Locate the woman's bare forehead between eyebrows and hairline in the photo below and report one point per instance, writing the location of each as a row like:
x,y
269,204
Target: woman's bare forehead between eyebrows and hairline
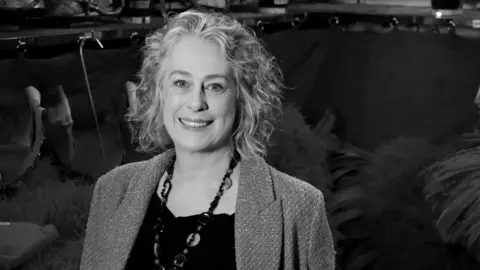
x,y
198,56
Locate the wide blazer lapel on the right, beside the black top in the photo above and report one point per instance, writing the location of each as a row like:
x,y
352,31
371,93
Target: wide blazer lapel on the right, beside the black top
x,y
258,218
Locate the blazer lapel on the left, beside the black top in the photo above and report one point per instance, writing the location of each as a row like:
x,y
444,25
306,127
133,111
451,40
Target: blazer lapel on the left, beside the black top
x,y
127,219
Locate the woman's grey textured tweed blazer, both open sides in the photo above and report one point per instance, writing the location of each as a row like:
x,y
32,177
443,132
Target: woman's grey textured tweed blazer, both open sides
x,y
280,221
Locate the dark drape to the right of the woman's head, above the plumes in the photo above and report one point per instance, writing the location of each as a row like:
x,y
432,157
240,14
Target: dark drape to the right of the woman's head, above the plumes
x,y
383,85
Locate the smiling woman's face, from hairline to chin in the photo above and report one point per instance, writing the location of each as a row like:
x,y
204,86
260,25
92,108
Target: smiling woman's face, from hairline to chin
x,y
199,98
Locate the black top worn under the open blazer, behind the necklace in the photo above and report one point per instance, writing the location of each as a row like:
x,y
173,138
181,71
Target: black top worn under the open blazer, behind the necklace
x,y
216,249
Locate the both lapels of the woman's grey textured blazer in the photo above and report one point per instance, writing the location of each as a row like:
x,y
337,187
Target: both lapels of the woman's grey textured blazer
x,y
258,214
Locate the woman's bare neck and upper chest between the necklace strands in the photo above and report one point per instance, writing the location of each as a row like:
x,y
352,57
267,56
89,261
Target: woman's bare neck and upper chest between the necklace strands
x,y
202,167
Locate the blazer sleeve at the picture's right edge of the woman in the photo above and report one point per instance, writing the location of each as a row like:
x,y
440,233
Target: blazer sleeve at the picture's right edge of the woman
x,y
321,253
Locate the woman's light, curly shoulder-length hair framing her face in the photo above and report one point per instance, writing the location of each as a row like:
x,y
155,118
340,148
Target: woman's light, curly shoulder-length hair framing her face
x,y
257,75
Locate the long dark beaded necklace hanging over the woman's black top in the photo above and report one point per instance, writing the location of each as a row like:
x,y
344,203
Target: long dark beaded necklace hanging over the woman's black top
x,y
194,238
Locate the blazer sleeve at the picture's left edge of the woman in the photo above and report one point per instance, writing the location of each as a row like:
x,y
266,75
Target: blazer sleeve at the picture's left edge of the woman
x,y
93,232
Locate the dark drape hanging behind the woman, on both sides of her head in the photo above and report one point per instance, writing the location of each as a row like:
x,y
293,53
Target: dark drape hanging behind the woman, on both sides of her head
x,y
382,85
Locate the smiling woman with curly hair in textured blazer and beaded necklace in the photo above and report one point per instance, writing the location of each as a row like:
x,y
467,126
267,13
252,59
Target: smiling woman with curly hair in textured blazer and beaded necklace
x,y
209,93
